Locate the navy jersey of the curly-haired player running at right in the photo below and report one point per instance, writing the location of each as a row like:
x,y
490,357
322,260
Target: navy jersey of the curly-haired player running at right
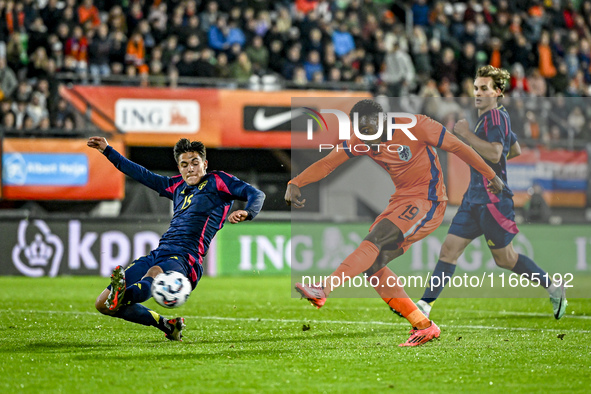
x,y
492,126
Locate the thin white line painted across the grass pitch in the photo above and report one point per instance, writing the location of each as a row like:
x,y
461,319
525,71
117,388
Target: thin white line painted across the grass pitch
x,y
375,323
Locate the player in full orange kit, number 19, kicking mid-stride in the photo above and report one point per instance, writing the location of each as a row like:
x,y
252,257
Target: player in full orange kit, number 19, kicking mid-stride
x,y
414,211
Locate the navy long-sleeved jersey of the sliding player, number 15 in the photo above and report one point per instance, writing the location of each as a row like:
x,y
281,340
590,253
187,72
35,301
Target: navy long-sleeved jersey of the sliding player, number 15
x,y
199,211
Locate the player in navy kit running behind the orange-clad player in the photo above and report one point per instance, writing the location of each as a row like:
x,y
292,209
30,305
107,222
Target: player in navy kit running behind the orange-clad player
x,y
485,213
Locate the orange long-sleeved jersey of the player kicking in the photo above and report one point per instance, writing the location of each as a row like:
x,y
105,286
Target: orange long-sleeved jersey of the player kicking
x,y
413,165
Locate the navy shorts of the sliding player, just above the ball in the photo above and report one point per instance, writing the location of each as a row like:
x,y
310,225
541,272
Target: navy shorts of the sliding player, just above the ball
x,y
168,261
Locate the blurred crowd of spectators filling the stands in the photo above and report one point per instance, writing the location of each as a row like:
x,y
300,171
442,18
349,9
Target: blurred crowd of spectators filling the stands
x,y
369,44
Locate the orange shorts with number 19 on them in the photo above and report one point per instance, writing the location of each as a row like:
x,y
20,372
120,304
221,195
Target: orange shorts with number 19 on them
x,y
415,217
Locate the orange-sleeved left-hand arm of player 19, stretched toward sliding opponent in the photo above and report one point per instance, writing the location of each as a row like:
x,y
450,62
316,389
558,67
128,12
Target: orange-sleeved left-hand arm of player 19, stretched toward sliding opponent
x,y
313,173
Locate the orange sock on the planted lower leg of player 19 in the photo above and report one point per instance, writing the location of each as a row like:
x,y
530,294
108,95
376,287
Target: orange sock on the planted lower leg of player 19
x,y
396,298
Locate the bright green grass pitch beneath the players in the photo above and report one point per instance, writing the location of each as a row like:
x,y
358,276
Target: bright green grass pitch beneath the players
x,y
249,335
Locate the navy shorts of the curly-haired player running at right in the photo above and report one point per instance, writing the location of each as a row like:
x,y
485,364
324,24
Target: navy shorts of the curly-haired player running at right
x,y
495,220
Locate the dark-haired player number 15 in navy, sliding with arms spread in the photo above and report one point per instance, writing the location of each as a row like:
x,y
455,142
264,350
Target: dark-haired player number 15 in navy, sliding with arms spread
x,y
201,205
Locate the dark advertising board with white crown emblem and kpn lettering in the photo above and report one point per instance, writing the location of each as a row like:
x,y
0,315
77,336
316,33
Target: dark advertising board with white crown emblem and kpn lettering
x,y
74,247
